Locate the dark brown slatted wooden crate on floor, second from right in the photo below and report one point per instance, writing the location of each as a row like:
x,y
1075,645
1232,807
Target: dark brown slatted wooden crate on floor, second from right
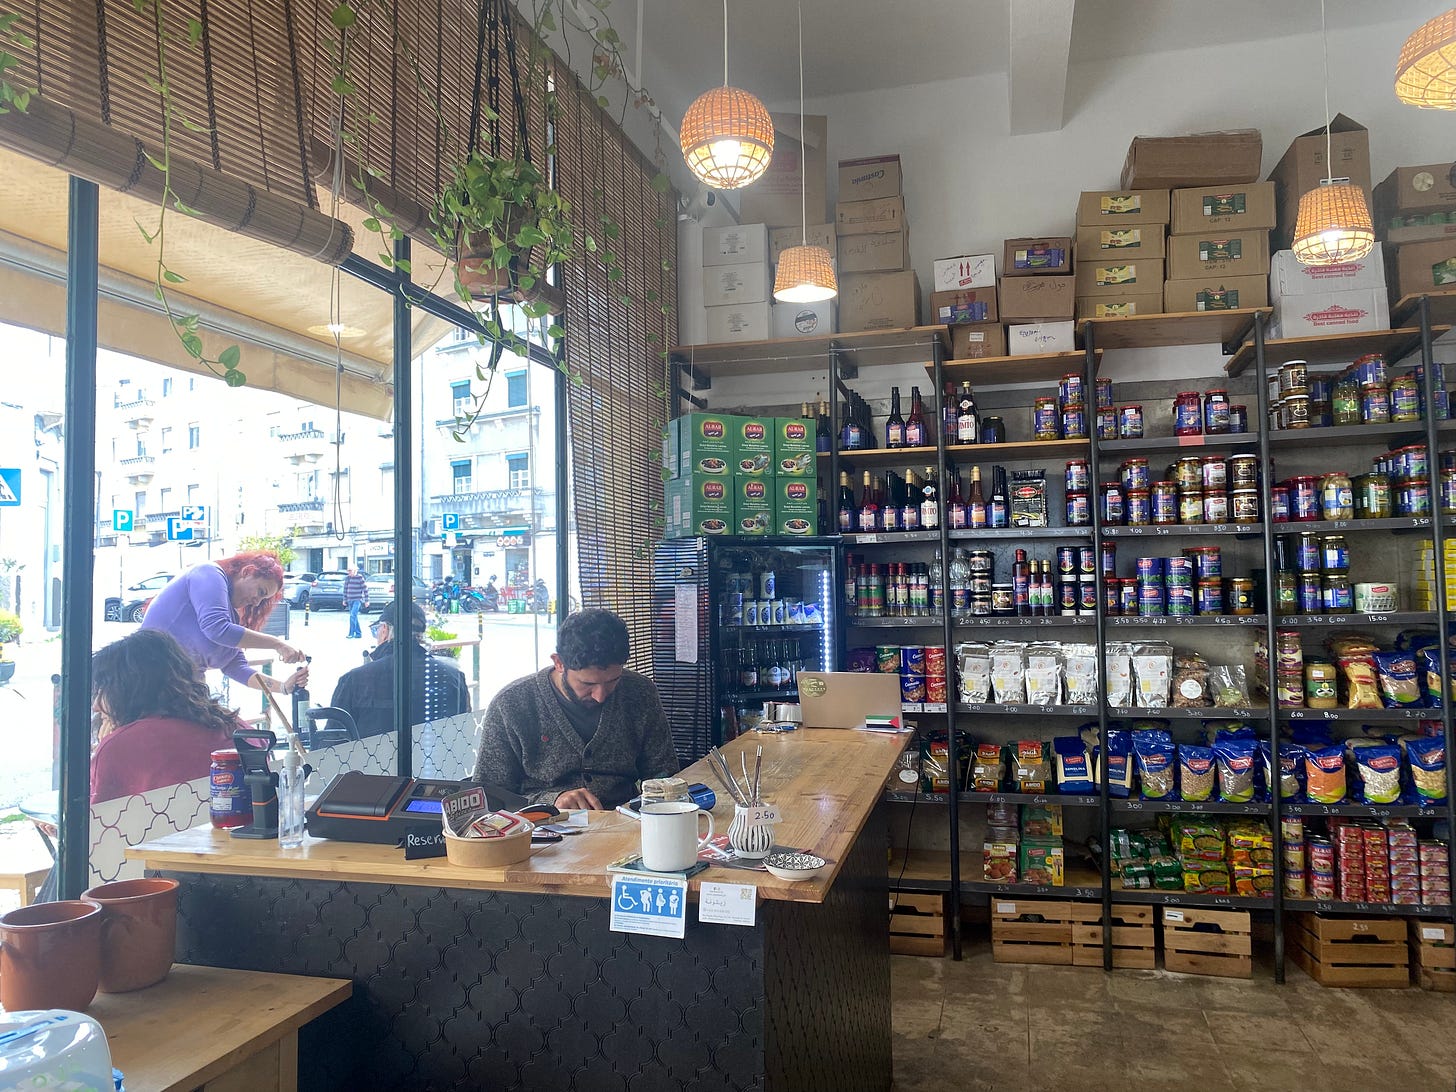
x,y
1365,953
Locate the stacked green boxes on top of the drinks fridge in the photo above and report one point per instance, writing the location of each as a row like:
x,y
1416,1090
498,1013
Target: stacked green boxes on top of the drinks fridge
x,y
740,475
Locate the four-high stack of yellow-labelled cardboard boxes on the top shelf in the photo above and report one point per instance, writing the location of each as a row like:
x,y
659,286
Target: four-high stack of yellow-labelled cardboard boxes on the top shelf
x,y
1120,253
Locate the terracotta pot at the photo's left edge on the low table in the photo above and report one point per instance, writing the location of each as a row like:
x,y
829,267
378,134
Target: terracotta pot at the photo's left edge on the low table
x,y
50,956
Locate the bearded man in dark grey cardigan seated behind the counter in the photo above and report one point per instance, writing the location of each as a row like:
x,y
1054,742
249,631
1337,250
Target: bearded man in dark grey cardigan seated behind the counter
x,y
583,732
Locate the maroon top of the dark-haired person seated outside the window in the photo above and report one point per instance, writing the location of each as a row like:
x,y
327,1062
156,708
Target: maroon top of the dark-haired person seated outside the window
x,y
152,753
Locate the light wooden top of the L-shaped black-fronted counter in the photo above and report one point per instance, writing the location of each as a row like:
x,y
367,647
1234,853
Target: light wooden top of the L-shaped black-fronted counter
x,y
823,781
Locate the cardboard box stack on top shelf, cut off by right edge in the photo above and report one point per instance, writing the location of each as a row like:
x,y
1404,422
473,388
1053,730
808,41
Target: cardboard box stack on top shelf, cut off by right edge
x,y
1415,210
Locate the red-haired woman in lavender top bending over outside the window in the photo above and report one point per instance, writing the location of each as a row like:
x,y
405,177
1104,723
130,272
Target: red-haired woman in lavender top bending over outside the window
x,y
218,609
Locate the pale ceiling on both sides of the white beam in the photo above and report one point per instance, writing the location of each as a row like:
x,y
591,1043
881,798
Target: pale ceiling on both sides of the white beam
x,y
857,46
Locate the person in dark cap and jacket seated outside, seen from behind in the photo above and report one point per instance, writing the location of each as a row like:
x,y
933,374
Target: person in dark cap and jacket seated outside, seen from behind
x,y
368,694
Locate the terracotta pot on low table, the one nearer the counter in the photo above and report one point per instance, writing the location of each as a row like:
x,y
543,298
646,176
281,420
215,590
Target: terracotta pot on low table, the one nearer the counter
x,y
139,933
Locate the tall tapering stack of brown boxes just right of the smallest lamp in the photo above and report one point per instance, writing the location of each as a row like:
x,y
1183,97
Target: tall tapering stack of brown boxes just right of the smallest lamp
x,y
877,288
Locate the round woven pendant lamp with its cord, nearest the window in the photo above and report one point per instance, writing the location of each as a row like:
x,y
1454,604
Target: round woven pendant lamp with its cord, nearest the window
x,y
727,135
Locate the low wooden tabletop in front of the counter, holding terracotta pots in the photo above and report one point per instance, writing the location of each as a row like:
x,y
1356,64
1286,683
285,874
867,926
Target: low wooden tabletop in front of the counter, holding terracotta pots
x,y
200,1023
